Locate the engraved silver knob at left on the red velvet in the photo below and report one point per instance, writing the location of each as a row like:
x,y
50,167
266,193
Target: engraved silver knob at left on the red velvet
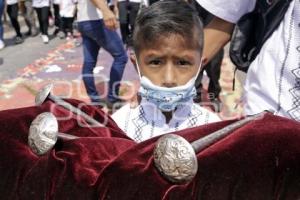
x,y
43,133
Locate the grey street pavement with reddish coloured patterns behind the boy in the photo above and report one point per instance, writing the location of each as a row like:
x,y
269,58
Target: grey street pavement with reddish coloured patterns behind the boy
x,y
29,66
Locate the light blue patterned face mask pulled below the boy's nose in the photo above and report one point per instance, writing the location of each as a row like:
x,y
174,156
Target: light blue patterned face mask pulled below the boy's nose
x,y
167,99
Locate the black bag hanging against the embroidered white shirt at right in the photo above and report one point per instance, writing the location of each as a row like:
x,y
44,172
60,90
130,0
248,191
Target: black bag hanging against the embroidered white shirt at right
x,y
253,29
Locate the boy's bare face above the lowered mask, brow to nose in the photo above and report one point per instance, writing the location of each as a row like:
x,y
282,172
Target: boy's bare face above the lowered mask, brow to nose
x,y
169,62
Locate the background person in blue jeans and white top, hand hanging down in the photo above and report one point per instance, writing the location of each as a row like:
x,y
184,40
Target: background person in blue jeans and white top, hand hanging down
x,y
97,25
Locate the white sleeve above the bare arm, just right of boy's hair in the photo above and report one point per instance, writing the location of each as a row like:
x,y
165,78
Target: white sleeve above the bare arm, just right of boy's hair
x,y
228,10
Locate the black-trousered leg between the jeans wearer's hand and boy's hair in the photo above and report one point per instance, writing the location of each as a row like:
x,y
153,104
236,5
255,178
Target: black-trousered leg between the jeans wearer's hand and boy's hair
x,y
123,17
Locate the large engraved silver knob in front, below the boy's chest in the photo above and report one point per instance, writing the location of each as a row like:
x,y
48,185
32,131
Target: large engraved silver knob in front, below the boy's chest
x,y
175,158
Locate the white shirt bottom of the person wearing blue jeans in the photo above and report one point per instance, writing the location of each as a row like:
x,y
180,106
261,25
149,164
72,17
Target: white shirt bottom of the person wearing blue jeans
x,y
87,11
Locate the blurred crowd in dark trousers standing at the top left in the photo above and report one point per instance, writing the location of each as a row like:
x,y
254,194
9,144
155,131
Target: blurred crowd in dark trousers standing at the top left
x,y
60,12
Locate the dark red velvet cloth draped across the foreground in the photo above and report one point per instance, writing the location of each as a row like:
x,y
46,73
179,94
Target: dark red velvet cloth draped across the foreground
x,y
258,161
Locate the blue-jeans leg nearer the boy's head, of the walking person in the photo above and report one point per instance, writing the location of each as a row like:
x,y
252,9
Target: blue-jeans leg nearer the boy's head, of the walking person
x,y
112,43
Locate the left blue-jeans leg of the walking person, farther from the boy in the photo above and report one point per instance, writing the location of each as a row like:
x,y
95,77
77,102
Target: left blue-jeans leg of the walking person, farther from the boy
x,y
90,55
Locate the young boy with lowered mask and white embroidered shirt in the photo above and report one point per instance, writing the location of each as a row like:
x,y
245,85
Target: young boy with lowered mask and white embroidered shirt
x,y
168,43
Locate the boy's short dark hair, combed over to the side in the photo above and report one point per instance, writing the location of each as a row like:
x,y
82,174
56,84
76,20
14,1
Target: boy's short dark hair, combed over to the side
x,y
165,18
